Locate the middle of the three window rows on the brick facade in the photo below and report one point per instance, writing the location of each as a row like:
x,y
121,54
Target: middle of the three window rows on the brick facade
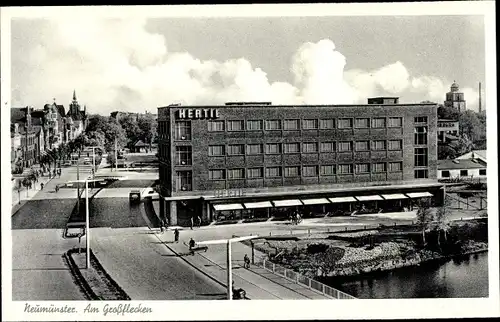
x,y
307,147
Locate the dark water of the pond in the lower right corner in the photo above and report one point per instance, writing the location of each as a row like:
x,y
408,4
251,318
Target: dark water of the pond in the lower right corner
x,y
456,278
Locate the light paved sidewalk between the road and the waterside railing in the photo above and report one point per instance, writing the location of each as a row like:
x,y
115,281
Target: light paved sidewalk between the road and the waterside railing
x,y
258,283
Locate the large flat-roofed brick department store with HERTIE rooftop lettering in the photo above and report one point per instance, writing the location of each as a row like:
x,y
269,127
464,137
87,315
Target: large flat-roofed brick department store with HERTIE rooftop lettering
x,y
257,159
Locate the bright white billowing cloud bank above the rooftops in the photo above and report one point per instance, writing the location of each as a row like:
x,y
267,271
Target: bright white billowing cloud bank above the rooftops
x,y
116,64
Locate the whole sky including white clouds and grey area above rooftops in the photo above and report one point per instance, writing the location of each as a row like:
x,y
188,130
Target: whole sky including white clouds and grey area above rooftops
x,y
137,64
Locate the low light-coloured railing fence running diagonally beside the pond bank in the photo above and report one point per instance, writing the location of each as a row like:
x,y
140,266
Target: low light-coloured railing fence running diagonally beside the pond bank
x,y
300,279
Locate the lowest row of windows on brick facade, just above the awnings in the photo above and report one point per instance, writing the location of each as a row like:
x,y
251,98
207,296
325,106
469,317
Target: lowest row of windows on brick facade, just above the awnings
x,y
305,171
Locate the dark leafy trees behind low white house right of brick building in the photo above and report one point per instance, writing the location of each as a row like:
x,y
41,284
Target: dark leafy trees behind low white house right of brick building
x,y
472,133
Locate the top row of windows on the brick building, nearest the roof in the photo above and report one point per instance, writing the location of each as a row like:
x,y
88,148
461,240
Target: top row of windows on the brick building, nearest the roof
x,y
307,124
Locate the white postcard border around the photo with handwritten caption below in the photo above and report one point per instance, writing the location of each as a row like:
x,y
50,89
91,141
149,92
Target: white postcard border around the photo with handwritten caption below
x,y
270,310
